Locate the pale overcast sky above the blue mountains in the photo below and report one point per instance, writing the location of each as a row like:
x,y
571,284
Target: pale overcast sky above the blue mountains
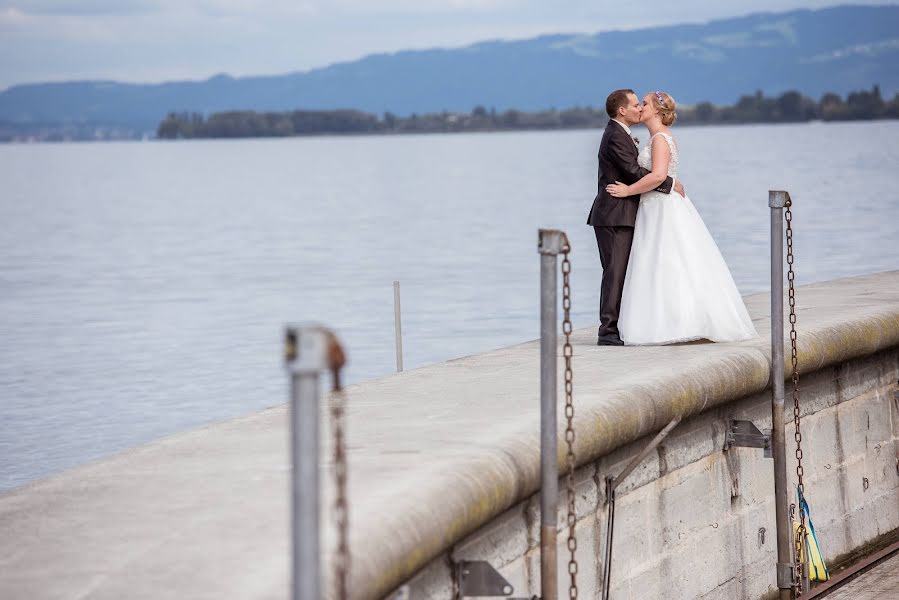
x,y
157,40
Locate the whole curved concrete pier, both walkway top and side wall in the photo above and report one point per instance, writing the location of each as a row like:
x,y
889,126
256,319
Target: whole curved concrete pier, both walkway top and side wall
x,y
444,465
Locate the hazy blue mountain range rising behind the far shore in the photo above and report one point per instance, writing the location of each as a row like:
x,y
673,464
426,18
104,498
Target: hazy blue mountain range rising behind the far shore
x,y
839,49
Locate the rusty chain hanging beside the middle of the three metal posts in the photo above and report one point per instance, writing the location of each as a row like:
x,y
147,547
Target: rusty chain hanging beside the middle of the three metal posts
x,y
567,352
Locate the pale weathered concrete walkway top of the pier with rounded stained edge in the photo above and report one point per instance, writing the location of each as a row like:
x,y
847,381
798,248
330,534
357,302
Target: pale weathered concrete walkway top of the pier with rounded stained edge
x,y
435,454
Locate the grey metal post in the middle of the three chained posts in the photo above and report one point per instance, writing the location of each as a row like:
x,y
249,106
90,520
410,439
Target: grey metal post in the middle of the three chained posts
x,y
549,246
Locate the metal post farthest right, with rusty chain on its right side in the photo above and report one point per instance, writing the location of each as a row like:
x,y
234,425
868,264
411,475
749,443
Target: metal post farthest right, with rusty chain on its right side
x,y
777,201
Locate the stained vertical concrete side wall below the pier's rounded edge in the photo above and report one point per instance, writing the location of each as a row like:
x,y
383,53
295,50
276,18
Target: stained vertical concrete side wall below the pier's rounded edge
x,y
694,521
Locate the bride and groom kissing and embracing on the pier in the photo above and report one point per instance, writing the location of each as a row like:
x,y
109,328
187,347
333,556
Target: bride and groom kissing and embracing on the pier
x,y
663,278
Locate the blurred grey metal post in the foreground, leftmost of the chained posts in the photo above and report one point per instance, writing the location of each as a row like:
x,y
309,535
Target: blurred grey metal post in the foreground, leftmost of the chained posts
x,y
306,358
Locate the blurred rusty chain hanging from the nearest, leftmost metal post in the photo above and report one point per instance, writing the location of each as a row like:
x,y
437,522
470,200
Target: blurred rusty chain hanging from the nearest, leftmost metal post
x,y
341,506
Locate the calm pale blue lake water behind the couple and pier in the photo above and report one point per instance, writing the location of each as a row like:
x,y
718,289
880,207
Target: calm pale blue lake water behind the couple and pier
x,y
143,286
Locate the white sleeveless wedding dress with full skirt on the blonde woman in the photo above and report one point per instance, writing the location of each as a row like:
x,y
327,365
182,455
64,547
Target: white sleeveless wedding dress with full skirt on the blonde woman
x,y
678,287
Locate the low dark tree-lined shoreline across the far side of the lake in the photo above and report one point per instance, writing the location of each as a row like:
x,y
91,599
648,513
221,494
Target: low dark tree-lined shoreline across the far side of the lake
x,y
756,109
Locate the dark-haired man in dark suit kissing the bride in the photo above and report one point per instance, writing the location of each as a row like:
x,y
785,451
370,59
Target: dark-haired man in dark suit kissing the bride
x,y
613,219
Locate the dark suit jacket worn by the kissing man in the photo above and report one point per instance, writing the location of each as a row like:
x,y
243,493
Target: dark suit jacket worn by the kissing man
x,y
618,162
